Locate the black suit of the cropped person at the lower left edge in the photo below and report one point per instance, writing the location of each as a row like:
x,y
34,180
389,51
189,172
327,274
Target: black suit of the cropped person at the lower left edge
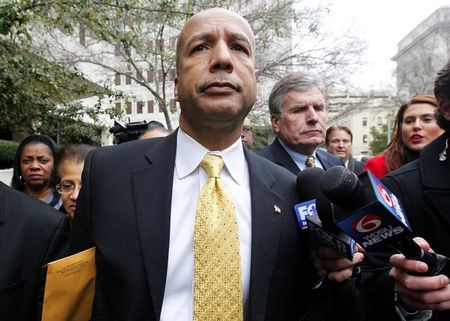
x,y
31,235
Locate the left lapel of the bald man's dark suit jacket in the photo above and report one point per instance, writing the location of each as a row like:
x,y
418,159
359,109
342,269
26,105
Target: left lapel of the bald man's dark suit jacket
x,y
152,188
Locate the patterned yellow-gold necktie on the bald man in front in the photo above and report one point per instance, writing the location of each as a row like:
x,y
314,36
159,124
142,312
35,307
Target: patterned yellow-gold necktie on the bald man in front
x,y
217,262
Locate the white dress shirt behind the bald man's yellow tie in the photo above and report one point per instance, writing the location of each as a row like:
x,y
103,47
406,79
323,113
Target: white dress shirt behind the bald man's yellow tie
x,y
188,180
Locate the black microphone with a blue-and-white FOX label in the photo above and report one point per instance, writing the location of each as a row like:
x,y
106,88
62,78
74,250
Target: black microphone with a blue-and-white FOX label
x,y
308,188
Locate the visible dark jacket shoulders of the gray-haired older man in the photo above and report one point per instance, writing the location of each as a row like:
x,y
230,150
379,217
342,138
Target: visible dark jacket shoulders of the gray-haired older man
x,y
277,154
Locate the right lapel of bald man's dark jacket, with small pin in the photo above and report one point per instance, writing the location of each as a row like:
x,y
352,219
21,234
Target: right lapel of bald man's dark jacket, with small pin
x,y
266,228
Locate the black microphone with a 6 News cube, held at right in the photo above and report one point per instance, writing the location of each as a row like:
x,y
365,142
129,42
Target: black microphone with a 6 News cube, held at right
x,y
369,213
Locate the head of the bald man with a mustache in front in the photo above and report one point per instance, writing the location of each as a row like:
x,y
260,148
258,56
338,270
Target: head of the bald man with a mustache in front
x,y
216,81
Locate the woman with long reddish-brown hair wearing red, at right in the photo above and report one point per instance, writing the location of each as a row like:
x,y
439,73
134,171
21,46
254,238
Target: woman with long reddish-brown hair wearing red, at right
x,y
415,126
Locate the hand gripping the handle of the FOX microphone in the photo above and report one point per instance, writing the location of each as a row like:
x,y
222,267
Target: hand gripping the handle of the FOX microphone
x,y
331,264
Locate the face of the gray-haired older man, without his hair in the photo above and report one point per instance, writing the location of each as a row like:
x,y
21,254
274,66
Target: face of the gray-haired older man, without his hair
x,y
301,124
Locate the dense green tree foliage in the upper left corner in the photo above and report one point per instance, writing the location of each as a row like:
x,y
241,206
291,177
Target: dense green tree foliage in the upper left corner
x,y
34,91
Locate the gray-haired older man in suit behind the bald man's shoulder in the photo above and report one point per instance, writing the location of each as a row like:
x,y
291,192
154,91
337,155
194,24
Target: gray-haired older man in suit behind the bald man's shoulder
x,y
298,112
